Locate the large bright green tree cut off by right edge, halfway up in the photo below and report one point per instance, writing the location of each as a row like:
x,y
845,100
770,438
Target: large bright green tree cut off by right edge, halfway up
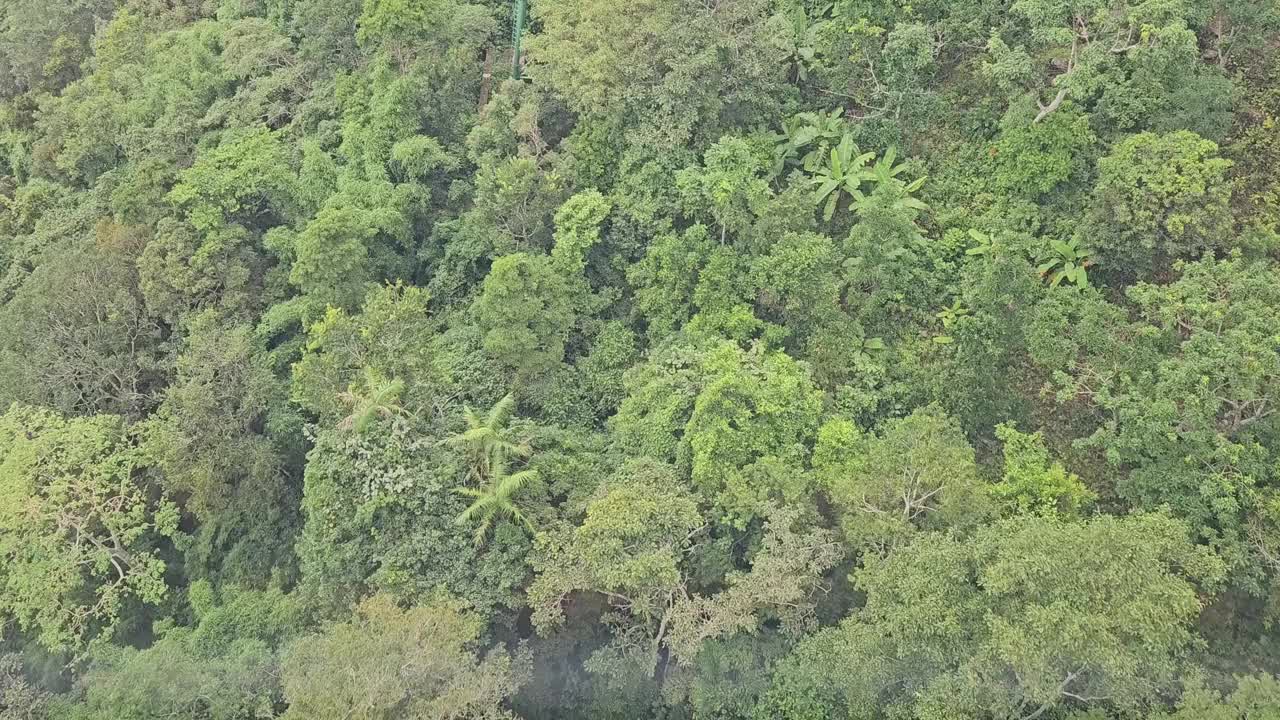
x,y
1182,390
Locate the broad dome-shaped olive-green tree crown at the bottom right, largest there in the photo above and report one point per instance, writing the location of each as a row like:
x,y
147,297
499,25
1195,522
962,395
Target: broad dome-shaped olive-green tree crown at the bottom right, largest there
x,y
1002,627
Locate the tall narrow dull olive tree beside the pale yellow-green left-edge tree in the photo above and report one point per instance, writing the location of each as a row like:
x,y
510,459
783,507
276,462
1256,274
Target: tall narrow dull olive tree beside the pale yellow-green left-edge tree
x,y
222,439
